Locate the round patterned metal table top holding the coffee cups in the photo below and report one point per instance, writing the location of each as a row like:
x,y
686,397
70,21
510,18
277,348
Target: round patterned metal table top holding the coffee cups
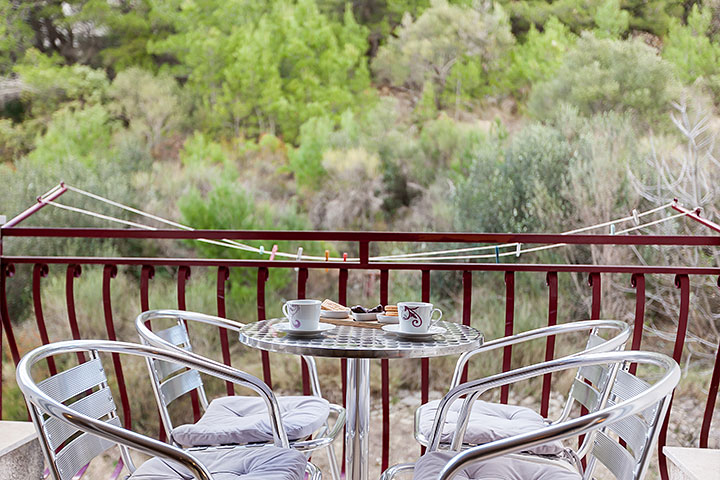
x,y
357,342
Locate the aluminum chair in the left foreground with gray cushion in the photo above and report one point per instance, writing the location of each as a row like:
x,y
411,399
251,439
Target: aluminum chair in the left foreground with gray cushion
x,y
76,420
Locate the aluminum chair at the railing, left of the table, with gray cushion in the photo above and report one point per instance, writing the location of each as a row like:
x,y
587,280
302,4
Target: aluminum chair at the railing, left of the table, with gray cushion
x,y
214,427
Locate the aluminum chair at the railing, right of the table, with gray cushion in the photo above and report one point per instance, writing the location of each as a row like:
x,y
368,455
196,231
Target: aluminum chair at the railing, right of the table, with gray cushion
x,y
491,421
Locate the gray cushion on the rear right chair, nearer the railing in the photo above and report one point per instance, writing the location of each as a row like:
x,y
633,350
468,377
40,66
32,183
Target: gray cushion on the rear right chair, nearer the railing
x,y
488,422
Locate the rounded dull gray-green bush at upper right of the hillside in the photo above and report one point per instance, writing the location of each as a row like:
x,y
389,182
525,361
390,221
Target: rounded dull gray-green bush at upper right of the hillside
x,y
602,75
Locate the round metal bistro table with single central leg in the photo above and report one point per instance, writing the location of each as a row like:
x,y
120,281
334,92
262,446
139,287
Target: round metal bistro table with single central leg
x,y
359,345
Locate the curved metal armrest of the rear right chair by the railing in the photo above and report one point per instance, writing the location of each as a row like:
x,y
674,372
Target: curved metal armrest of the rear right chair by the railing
x,y
614,343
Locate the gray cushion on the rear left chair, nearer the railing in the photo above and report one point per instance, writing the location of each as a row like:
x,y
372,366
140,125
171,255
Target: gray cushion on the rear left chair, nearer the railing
x,y
239,420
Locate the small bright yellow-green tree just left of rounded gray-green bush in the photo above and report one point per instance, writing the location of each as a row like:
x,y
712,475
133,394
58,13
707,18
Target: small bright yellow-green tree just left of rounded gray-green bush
x,y
536,59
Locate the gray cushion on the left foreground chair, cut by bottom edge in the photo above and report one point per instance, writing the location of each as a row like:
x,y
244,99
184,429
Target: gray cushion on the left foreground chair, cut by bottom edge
x,y
267,463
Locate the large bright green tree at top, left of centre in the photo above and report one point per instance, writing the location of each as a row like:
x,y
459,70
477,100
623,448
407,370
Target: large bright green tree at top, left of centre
x,y
272,70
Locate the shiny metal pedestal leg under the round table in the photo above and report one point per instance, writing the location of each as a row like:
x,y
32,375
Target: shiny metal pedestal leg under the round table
x,y
357,444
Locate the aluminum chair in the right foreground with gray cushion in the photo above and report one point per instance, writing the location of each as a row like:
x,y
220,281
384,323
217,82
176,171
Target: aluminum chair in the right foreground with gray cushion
x,y
625,430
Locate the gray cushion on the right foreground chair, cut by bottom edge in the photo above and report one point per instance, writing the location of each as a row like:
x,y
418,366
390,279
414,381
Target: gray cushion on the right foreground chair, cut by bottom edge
x,y
503,468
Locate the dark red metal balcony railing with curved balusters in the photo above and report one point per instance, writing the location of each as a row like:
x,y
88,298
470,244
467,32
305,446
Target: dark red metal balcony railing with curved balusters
x,y
224,267
